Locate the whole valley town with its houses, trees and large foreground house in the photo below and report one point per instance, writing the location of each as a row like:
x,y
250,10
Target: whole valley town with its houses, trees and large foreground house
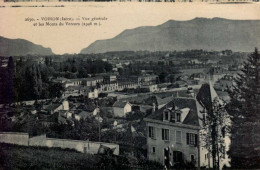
x,y
148,105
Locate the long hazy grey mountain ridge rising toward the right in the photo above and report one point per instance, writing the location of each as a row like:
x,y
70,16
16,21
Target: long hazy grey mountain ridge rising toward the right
x,y
199,33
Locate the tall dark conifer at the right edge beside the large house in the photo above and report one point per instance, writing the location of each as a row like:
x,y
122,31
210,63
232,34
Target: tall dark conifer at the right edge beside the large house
x,y
245,116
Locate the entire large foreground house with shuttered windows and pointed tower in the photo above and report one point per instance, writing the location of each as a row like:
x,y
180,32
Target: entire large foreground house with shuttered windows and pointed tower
x,y
173,131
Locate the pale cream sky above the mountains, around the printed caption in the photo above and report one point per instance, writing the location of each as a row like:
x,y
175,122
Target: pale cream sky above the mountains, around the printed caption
x,y
120,16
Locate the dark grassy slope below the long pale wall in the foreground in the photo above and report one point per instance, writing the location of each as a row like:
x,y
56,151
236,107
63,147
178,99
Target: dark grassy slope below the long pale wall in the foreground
x,y
23,157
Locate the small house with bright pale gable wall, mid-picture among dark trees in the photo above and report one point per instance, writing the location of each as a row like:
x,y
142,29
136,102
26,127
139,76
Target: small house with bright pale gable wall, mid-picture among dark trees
x,y
121,108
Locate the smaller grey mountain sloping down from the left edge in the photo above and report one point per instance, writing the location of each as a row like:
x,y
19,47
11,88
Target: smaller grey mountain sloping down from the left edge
x,y
20,47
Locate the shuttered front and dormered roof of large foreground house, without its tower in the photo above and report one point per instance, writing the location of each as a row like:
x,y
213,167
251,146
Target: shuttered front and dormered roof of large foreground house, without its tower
x,y
172,133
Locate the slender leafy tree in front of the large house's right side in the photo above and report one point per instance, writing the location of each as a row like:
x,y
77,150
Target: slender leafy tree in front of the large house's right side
x,y
215,125
